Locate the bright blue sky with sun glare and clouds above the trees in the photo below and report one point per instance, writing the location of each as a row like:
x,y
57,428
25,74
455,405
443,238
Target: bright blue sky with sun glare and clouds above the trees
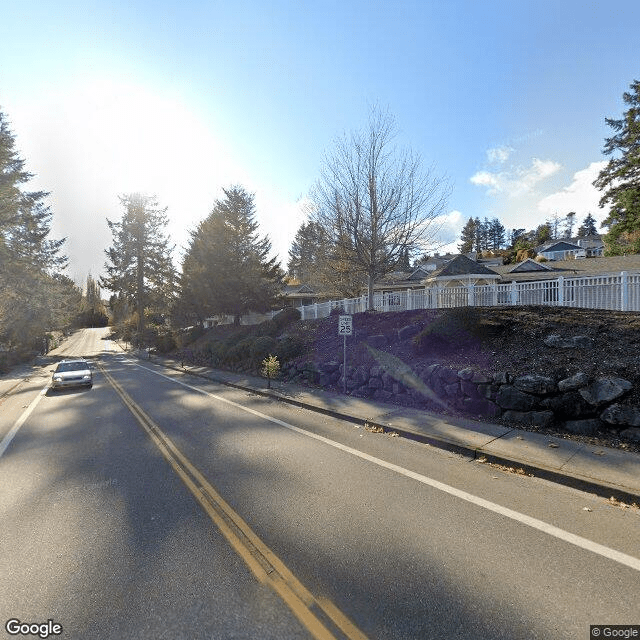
x,y
181,99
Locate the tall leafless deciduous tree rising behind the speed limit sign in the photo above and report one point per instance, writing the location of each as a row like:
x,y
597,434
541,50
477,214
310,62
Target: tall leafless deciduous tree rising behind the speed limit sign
x,y
375,201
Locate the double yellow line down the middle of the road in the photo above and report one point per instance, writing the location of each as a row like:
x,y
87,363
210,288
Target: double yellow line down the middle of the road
x,y
264,564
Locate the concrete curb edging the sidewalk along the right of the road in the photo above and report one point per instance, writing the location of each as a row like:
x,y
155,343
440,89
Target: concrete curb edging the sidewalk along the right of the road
x,y
590,485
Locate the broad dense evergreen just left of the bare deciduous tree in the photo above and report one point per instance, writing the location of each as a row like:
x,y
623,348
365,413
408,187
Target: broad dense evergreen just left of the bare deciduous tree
x,y
227,269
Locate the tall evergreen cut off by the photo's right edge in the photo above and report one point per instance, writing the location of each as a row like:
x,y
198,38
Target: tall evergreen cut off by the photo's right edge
x,y
620,178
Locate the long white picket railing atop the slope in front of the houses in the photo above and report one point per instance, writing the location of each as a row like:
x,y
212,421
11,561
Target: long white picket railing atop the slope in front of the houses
x,y
615,292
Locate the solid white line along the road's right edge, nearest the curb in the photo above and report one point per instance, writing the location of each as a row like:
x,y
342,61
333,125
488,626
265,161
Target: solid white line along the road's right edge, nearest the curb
x,y
534,523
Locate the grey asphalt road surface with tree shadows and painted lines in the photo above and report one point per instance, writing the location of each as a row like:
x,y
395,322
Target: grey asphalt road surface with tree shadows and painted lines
x,y
159,505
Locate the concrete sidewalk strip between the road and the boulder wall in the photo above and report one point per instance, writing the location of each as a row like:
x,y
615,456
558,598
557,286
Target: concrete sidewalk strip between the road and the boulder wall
x,y
602,470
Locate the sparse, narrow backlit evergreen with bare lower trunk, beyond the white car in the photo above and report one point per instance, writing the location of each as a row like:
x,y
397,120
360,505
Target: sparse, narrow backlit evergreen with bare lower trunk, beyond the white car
x,y
139,269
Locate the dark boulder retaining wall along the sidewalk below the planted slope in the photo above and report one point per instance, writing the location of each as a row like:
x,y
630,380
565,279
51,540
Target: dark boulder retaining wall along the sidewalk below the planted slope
x,y
577,403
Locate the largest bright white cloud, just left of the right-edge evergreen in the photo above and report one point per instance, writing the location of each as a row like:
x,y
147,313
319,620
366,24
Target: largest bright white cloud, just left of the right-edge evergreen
x,y
580,196
